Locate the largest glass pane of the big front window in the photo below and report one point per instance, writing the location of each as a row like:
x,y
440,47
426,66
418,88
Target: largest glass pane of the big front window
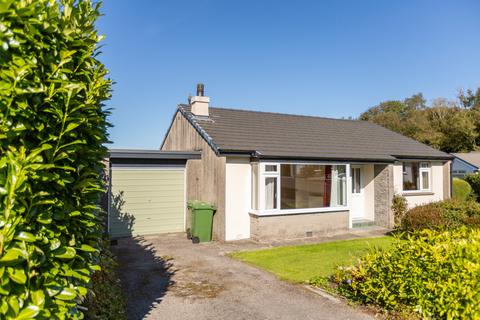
x,y
312,186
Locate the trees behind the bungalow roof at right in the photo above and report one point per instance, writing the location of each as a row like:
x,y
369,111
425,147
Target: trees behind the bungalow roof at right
x,y
450,126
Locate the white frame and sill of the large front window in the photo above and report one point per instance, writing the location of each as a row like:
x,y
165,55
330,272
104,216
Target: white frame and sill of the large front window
x,y
262,174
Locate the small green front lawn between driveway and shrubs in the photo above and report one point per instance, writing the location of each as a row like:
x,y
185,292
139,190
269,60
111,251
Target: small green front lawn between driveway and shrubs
x,y
302,263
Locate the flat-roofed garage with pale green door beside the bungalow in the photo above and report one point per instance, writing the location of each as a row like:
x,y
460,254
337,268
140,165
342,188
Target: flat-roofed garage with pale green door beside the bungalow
x,y
147,192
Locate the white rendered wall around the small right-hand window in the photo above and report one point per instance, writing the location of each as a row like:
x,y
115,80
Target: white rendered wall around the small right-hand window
x,y
423,197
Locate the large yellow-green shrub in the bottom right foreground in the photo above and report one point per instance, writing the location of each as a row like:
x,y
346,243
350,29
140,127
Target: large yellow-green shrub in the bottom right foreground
x,y
434,274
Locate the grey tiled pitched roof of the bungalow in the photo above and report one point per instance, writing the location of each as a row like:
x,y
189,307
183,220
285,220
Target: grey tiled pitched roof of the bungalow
x,y
275,135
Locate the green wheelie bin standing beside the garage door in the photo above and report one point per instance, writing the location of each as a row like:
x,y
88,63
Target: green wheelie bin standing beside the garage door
x,y
201,218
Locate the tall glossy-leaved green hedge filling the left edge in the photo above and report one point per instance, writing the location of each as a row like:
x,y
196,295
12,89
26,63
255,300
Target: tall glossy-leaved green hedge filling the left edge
x,y
52,127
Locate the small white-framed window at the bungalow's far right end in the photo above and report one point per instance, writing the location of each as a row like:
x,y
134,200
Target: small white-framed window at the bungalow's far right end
x,y
416,176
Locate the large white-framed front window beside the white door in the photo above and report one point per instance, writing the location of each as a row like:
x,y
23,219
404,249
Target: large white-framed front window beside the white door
x,y
299,186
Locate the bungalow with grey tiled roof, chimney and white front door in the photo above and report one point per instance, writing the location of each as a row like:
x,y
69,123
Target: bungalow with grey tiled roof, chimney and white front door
x,y
279,176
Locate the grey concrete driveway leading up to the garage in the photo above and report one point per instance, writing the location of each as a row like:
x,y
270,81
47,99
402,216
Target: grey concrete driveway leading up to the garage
x,y
167,277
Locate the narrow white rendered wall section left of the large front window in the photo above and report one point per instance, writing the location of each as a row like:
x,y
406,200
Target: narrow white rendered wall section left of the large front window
x,y
238,192
